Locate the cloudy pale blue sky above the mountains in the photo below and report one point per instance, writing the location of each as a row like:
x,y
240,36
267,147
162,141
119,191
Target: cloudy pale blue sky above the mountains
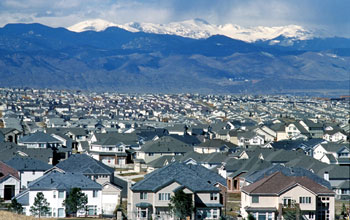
x,y
332,16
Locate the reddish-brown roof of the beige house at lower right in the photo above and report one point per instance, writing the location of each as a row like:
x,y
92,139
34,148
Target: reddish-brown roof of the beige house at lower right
x,y
278,183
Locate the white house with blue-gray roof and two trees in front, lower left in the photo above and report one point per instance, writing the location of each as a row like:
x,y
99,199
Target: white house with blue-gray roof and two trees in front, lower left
x,y
55,186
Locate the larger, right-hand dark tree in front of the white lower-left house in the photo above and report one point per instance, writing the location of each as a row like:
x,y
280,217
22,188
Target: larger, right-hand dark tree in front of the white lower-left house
x,y
75,201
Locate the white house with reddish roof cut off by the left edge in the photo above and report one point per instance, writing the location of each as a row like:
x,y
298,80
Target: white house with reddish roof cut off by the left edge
x,y
9,181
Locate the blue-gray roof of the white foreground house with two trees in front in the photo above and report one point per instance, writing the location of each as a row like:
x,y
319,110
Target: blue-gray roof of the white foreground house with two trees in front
x,y
63,181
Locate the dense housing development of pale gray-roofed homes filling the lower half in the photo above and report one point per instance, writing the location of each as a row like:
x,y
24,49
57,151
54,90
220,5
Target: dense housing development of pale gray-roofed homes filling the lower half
x,y
232,156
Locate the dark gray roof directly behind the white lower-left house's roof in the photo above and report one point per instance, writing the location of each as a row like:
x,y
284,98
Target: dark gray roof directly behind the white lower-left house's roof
x,y
82,163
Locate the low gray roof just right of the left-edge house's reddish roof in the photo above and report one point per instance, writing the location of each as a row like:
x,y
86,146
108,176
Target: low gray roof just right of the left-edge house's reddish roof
x,y
27,164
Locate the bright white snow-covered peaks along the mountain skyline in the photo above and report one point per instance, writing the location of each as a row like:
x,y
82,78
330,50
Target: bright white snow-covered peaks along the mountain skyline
x,y
199,28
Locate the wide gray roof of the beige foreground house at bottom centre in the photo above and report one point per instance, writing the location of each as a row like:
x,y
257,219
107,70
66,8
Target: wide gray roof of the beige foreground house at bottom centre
x,y
194,177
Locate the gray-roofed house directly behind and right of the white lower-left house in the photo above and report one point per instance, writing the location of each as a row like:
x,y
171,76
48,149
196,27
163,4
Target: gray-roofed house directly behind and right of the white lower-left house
x,y
98,172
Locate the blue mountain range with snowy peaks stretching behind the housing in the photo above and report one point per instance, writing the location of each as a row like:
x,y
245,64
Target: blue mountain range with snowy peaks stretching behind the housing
x,y
108,57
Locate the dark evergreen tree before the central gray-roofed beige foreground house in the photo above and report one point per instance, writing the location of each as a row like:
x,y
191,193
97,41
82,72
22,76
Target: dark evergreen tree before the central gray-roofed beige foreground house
x,y
181,204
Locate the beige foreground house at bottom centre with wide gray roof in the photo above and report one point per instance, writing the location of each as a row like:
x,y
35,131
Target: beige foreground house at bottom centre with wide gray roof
x,y
151,196
